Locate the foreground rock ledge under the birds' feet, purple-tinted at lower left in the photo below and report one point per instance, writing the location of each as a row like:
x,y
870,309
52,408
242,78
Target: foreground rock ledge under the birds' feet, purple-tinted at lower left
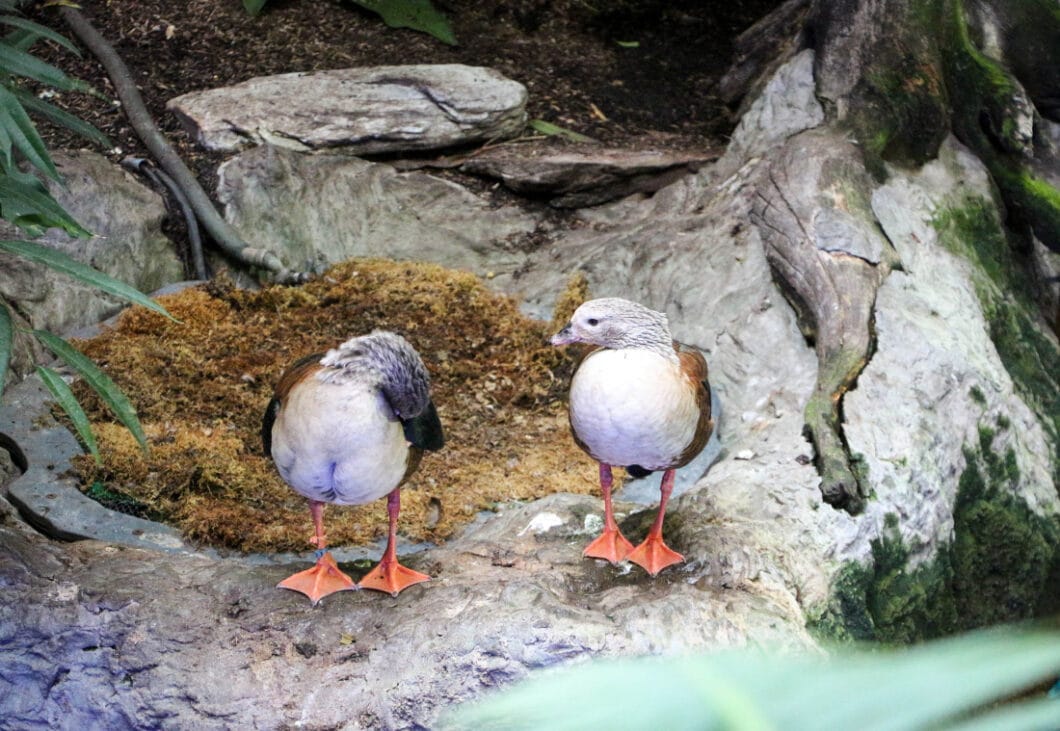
x,y
128,627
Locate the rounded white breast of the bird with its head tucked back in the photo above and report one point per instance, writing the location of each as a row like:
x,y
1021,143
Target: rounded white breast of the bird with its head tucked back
x,y
339,443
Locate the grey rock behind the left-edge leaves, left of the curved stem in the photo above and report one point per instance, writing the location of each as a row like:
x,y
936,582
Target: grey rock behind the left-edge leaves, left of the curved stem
x,y
129,245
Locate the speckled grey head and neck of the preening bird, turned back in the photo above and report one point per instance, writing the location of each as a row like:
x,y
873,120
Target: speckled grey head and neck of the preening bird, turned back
x,y
386,360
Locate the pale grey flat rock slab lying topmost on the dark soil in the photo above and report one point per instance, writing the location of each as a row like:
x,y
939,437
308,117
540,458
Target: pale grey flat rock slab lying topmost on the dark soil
x,y
368,111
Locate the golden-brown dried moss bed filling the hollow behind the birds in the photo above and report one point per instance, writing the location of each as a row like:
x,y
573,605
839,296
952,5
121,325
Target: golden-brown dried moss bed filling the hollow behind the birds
x,y
202,385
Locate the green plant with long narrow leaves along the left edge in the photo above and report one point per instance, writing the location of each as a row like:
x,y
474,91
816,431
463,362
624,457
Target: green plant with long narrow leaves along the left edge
x,y
26,203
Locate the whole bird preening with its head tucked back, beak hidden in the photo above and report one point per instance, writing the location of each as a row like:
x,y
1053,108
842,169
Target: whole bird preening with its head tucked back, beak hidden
x,y
347,429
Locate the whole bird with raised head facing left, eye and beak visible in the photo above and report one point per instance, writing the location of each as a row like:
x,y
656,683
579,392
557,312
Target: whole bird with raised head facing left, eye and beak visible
x,y
639,400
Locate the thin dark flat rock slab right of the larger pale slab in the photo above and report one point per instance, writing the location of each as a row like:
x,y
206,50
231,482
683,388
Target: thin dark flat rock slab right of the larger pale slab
x,y
578,180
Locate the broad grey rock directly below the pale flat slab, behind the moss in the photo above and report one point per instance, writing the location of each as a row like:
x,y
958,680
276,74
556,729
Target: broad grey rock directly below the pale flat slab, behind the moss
x,y
315,210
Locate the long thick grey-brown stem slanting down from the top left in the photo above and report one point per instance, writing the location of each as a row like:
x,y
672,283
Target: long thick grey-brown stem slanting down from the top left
x,y
138,116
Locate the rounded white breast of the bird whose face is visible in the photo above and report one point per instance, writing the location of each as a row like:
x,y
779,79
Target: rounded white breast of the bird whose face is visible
x,y
633,407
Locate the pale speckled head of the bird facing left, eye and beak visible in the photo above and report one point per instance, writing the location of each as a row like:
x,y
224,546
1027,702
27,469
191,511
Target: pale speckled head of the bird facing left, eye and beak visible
x,y
614,323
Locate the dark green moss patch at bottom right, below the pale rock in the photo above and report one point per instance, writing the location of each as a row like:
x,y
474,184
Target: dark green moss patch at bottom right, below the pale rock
x,y
1000,567
